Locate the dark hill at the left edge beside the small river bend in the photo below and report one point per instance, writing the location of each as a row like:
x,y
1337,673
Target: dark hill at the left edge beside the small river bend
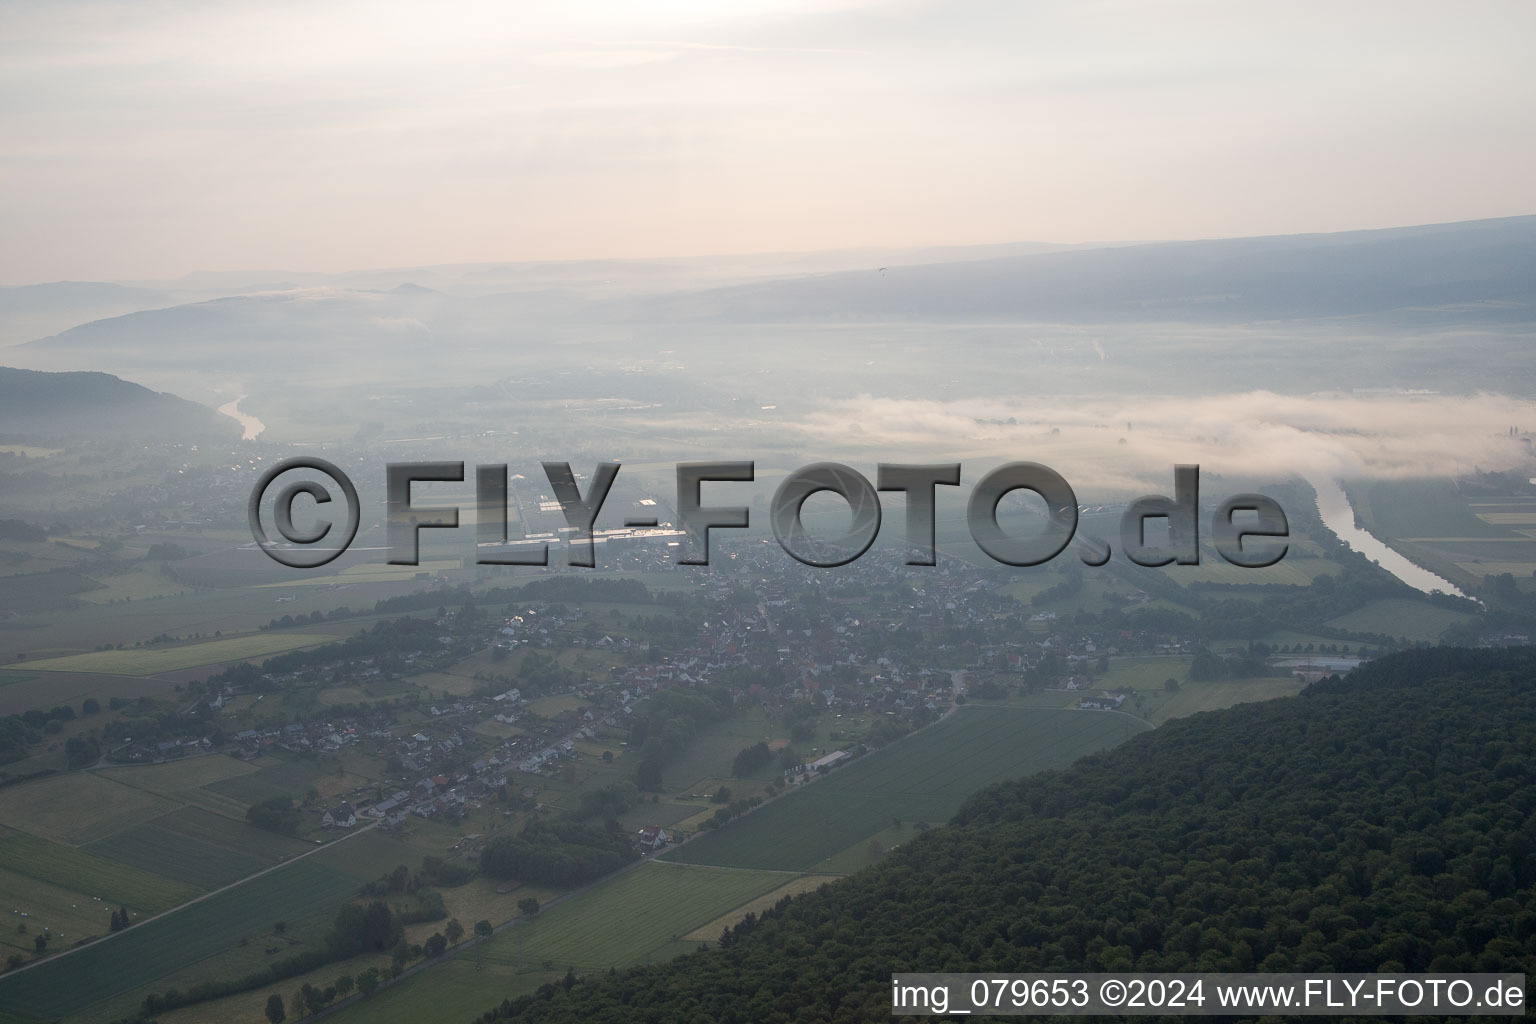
x,y
59,406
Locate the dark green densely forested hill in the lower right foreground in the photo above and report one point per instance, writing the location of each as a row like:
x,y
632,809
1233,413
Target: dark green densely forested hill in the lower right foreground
x,y
1383,822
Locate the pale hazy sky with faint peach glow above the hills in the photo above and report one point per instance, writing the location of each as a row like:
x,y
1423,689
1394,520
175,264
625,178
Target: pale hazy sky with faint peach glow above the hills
x,y
147,140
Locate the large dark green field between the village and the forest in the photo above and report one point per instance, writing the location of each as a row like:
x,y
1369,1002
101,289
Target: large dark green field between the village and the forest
x,y
921,779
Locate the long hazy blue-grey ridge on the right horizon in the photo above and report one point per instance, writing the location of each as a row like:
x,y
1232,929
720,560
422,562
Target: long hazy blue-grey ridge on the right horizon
x,y
1466,273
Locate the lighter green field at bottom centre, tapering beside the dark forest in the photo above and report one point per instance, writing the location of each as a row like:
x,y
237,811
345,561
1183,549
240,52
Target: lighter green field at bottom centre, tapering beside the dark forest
x,y
631,919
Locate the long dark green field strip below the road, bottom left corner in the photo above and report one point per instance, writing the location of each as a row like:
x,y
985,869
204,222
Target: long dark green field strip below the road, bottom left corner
x,y
157,948
